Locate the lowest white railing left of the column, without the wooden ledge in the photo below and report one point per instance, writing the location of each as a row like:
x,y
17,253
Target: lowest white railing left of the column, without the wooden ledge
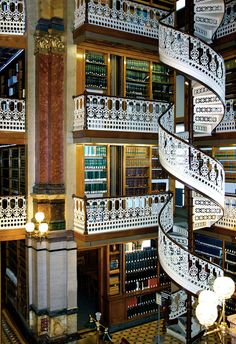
x,y
12,212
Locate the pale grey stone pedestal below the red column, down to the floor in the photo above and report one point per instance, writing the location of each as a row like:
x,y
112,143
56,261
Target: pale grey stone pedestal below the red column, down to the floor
x,y
53,288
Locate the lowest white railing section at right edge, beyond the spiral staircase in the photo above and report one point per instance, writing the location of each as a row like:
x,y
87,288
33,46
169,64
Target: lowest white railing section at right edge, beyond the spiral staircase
x,y
228,221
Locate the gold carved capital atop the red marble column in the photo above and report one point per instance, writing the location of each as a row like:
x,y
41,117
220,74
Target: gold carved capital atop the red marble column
x,y
48,42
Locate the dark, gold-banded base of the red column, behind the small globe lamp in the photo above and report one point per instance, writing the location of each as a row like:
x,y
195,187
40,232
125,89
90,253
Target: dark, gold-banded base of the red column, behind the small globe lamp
x,y
53,207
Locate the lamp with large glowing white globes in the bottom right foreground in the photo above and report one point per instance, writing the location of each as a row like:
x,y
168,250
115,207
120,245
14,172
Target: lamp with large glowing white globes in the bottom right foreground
x,y
207,308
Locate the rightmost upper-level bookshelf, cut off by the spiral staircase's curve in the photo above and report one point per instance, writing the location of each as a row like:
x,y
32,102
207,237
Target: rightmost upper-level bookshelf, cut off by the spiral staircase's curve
x,y
162,83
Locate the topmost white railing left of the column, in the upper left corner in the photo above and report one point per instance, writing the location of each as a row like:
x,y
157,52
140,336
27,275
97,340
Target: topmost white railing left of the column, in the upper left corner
x,y
12,17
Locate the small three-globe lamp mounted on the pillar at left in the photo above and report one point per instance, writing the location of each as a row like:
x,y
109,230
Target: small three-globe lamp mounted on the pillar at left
x,y
38,229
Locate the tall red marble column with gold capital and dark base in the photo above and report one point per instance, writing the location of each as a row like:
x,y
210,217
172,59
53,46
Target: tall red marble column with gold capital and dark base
x,y
49,190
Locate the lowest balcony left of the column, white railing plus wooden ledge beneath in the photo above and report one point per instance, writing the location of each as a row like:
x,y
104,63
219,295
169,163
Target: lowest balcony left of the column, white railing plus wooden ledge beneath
x,y
12,217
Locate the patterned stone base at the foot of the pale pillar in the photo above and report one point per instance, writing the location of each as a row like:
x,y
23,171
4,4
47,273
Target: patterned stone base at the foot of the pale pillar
x,y
58,328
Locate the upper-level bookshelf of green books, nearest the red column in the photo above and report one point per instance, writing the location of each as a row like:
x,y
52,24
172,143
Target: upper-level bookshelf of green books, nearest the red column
x,y
96,72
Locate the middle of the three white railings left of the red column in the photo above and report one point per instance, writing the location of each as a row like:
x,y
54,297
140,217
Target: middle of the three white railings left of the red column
x,y
12,114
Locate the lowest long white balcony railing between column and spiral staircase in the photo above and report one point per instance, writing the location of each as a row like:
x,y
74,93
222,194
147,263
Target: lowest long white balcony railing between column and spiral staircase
x,y
102,215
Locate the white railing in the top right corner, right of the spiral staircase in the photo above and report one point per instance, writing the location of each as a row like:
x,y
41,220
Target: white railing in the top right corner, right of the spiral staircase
x,y
228,25
